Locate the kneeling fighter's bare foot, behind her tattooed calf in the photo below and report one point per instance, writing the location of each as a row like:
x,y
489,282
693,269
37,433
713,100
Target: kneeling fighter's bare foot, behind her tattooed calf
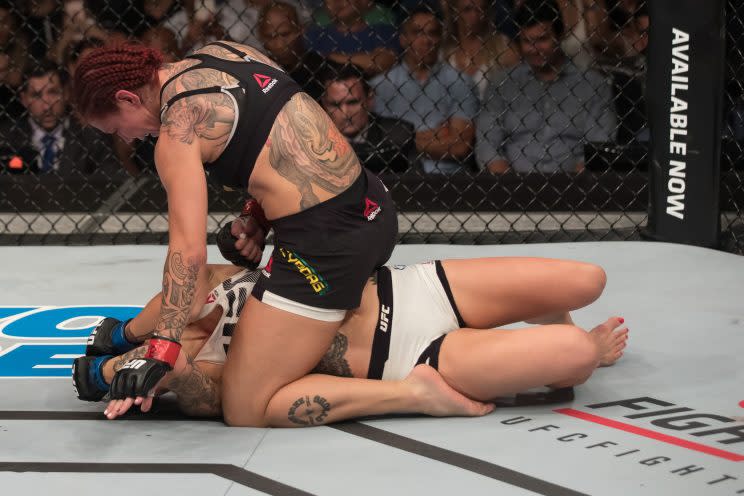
x,y
437,398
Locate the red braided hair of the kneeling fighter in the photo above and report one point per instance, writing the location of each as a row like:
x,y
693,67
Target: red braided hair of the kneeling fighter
x,y
108,69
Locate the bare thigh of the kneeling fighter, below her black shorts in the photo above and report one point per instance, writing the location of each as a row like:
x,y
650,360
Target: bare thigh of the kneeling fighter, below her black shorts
x,y
269,349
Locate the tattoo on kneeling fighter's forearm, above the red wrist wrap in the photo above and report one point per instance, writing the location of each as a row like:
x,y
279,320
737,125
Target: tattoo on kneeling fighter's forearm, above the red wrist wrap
x,y
179,285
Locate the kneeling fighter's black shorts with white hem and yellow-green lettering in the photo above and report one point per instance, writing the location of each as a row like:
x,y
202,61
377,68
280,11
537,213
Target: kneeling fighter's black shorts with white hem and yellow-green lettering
x,y
323,256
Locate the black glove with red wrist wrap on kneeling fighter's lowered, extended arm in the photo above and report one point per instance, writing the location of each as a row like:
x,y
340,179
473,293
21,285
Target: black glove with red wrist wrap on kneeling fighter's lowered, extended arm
x,y
139,376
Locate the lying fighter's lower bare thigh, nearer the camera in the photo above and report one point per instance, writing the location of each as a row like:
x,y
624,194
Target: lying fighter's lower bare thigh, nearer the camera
x,y
486,363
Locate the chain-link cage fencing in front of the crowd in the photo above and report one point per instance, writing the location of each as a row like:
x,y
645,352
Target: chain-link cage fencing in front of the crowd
x,y
491,121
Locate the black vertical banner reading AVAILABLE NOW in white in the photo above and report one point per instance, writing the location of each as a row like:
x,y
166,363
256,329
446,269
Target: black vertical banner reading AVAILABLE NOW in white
x,y
686,60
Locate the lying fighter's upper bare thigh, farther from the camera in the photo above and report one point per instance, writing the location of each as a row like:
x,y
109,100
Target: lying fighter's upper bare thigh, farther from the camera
x,y
491,292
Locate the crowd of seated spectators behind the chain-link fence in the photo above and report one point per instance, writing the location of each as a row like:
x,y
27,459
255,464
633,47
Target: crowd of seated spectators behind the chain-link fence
x,y
438,86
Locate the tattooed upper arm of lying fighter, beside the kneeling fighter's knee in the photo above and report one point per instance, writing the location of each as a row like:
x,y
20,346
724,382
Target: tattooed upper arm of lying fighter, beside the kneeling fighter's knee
x,y
198,394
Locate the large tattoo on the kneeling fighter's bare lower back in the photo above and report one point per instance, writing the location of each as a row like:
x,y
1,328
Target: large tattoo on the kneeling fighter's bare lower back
x,y
306,149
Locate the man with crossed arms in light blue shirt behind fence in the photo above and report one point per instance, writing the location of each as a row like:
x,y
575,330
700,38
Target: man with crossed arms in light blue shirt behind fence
x,y
440,102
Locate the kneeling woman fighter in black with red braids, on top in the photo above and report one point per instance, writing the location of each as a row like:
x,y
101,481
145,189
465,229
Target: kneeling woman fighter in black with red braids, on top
x,y
232,112
